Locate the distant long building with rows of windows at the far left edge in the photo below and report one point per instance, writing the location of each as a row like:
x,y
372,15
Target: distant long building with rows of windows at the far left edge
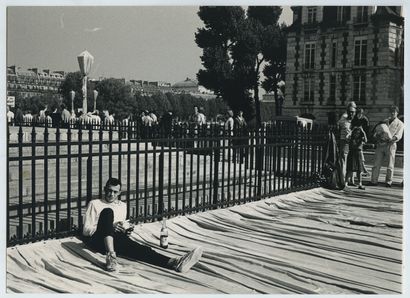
x,y
33,81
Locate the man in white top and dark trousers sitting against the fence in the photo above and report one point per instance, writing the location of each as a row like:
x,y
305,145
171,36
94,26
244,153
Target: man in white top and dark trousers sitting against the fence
x,y
106,230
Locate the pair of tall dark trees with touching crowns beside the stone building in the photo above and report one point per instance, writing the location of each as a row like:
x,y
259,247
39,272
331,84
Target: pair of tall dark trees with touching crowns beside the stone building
x,y
235,49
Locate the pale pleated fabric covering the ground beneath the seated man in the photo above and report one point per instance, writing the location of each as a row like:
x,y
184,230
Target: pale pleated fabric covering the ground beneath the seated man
x,y
318,241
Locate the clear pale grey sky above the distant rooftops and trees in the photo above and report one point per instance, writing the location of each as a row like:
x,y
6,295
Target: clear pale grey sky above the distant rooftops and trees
x,y
154,43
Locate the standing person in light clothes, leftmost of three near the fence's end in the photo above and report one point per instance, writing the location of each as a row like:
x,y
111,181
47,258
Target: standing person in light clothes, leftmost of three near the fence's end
x,y
344,126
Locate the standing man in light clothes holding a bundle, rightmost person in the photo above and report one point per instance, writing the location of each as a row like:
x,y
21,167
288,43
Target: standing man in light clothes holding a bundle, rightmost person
x,y
388,148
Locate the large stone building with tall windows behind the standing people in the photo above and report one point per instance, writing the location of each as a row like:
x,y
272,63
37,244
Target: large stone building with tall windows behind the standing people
x,y
337,54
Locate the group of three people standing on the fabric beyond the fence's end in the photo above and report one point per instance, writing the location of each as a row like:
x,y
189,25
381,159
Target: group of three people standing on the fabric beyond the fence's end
x,y
353,128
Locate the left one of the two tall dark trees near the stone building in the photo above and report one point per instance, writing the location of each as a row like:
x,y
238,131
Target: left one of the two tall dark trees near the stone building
x,y
221,72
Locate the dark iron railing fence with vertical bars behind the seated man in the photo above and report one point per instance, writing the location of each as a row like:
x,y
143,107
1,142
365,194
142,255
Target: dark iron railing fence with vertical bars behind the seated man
x,y
52,173
